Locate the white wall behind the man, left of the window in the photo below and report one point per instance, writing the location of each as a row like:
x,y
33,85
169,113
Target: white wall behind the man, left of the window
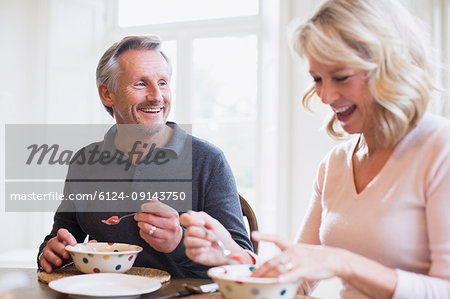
x,y
39,83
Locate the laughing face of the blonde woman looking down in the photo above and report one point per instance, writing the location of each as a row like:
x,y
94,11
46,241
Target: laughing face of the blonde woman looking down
x,y
346,90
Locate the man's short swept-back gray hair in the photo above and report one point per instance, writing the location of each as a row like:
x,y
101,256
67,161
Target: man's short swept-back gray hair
x,y
108,67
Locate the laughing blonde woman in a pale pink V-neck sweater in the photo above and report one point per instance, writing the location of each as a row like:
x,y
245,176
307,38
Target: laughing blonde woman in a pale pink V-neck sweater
x,y
379,217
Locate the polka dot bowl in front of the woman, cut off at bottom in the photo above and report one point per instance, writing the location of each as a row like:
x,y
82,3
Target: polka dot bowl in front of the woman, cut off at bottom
x,y
235,282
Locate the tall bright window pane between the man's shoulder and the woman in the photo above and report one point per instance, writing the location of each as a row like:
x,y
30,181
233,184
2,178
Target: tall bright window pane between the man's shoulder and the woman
x,y
224,101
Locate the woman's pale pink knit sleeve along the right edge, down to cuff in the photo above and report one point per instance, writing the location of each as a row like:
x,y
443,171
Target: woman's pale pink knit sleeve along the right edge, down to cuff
x,y
437,283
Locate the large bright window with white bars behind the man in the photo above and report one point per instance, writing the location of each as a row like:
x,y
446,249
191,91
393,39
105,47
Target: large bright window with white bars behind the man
x,y
216,51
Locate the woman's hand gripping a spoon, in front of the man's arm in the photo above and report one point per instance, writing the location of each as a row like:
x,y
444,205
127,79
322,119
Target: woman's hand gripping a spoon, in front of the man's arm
x,y
200,246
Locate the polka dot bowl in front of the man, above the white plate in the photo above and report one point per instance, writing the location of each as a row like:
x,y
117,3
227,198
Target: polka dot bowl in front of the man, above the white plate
x,y
103,257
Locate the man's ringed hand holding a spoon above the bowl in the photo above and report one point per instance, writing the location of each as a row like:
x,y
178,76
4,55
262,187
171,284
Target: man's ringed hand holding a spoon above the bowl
x,y
159,226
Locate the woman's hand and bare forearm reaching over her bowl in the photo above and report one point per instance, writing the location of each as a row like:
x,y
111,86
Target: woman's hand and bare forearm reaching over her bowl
x,y
315,262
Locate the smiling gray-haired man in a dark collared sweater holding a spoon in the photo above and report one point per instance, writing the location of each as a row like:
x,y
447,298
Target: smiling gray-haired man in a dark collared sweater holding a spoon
x,y
133,80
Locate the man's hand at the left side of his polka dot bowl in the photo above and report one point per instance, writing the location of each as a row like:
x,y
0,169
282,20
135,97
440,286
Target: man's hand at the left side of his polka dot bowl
x,y
54,254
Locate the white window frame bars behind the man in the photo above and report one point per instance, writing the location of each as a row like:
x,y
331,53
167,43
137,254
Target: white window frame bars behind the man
x,y
265,26
